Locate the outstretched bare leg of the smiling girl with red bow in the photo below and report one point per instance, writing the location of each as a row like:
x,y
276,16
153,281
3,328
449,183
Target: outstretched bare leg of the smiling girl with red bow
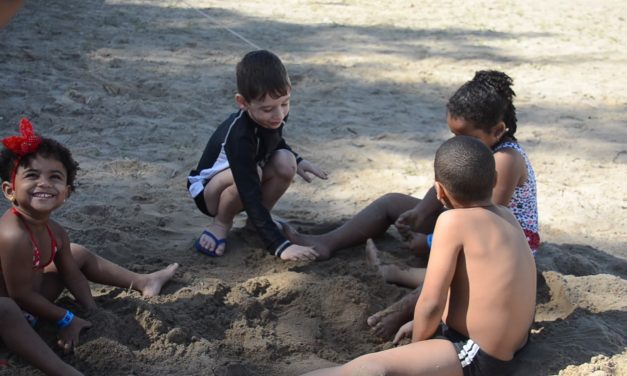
x,y
100,270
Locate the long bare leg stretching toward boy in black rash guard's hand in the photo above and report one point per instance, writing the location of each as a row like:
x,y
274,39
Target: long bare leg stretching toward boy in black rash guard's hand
x,y
371,222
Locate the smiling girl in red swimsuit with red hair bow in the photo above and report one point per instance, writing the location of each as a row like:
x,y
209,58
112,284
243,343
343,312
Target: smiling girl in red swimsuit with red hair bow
x,y
37,260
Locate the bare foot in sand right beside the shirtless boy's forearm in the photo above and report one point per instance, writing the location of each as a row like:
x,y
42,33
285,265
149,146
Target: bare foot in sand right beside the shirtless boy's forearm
x,y
386,322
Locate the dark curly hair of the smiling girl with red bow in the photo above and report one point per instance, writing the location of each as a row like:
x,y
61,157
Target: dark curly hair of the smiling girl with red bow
x,y
48,148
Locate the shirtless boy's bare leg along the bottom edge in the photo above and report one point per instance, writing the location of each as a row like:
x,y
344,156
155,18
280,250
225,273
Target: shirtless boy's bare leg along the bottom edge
x,y
432,357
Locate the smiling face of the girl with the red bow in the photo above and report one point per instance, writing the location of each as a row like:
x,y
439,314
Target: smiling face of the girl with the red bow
x,y
40,186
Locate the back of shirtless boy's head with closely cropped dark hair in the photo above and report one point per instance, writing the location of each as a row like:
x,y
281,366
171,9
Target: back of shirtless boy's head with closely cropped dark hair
x,y
465,167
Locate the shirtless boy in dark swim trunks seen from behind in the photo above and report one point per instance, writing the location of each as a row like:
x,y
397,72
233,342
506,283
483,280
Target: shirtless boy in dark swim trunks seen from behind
x,y
480,280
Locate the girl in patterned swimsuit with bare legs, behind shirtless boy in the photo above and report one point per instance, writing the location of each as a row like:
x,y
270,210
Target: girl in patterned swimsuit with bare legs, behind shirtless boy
x,y
482,108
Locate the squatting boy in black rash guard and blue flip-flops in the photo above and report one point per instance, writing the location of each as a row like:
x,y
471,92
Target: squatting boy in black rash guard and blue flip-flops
x,y
247,164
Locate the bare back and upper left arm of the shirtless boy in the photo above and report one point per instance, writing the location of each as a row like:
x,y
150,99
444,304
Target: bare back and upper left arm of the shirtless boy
x,y
493,286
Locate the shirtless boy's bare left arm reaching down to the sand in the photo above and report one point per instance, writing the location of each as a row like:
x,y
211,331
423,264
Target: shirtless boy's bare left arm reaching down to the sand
x,y
440,271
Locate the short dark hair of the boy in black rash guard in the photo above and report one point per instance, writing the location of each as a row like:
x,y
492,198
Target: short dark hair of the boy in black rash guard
x,y
262,73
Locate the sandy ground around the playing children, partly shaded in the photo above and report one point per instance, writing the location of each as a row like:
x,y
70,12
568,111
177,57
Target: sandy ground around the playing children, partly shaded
x,y
135,88
